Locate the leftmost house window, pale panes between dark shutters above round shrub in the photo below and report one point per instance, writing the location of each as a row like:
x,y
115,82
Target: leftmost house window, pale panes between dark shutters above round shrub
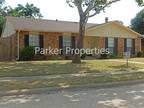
x,y
34,40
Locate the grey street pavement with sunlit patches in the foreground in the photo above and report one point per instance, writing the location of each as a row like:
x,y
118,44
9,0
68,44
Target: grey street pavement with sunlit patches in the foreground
x,y
119,97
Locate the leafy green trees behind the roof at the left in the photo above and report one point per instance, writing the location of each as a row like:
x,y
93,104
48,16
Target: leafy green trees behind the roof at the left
x,y
29,11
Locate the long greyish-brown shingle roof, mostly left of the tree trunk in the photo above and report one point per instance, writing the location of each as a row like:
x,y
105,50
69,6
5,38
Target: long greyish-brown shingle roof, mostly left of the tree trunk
x,y
45,25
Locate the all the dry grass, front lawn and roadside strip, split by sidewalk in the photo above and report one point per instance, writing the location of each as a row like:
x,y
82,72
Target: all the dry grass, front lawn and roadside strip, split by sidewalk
x,y
33,68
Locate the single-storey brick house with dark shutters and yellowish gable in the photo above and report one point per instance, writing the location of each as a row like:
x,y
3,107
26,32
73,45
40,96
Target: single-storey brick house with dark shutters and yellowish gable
x,y
60,34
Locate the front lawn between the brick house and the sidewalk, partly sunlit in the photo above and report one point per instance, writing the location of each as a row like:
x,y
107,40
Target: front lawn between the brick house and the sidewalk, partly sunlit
x,y
35,68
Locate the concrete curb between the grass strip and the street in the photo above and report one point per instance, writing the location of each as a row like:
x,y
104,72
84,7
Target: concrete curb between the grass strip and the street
x,y
74,88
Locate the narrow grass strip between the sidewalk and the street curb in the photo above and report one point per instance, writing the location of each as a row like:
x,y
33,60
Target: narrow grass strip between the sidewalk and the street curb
x,y
67,82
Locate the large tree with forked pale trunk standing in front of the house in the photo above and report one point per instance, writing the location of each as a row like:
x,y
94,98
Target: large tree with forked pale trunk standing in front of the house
x,y
87,9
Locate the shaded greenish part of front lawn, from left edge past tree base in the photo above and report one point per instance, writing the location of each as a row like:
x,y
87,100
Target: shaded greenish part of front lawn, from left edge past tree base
x,y
43,68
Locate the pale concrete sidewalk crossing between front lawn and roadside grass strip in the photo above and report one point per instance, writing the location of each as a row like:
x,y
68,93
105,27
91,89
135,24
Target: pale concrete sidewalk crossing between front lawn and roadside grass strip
x,y
46,77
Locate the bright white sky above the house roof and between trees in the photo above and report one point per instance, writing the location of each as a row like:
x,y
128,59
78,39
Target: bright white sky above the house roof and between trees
x,y
123,11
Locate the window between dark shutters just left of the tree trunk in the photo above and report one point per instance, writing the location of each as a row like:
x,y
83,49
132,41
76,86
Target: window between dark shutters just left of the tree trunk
x,y
66,43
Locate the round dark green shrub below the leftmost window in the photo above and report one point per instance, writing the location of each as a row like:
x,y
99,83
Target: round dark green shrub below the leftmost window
x,y
27,53
